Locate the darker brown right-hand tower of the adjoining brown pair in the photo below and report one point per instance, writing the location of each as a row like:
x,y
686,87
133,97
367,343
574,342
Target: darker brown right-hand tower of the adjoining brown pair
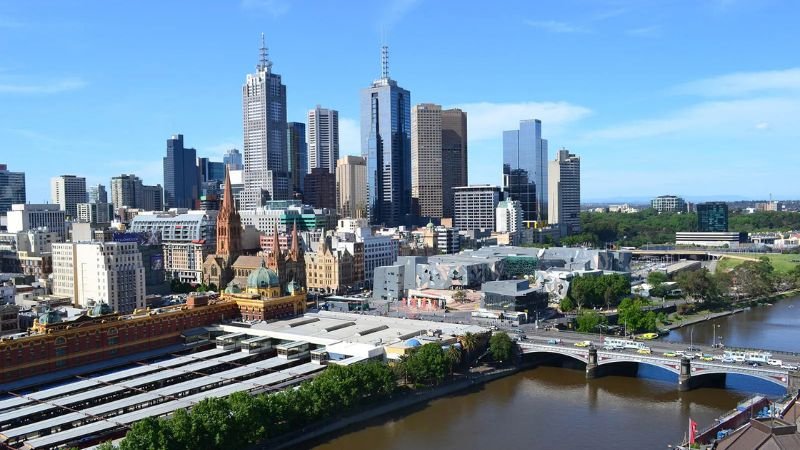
x,y
454,153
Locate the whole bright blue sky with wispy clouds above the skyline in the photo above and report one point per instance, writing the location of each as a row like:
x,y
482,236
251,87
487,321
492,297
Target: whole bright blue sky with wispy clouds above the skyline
x,y
698,97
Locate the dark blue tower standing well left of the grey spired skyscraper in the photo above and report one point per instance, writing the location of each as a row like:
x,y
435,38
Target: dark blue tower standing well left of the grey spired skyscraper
x,y
180,175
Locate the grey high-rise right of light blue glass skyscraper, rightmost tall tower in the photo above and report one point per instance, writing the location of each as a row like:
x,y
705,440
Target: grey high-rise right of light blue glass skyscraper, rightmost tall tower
x,y
564,204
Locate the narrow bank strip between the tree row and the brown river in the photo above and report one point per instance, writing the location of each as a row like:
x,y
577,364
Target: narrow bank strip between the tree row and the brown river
x,y
403,401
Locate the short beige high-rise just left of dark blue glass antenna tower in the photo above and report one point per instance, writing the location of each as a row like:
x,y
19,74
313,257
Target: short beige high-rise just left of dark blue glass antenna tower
x,y
351,187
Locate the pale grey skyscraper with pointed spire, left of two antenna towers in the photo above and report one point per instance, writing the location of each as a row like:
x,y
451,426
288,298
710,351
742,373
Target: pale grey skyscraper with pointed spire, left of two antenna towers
x,y
264,118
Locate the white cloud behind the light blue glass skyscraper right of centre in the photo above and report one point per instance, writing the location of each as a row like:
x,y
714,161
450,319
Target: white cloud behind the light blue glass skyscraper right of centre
x,y
487,121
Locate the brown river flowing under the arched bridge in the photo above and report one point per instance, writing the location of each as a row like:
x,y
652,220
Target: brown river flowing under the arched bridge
x,y
551,407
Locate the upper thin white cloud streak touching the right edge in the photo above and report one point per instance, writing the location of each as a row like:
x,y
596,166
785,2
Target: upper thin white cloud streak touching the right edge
x,y
744,83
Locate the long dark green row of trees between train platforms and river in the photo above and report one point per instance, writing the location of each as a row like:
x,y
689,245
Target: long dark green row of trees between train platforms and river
x,y
241,419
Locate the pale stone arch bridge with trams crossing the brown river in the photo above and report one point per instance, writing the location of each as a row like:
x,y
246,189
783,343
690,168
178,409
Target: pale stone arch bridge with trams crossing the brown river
x,y
691,372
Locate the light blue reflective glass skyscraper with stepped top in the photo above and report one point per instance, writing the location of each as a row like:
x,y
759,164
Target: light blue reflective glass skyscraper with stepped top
x,y
525,168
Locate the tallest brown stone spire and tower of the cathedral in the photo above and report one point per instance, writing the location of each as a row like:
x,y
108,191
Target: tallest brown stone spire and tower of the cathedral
x,y
218,268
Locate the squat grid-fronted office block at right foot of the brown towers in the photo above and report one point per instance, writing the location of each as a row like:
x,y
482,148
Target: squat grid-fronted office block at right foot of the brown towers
x,y
475,207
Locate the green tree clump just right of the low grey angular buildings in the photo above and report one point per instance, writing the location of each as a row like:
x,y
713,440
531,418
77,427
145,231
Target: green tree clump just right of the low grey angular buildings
x,y
600,291
